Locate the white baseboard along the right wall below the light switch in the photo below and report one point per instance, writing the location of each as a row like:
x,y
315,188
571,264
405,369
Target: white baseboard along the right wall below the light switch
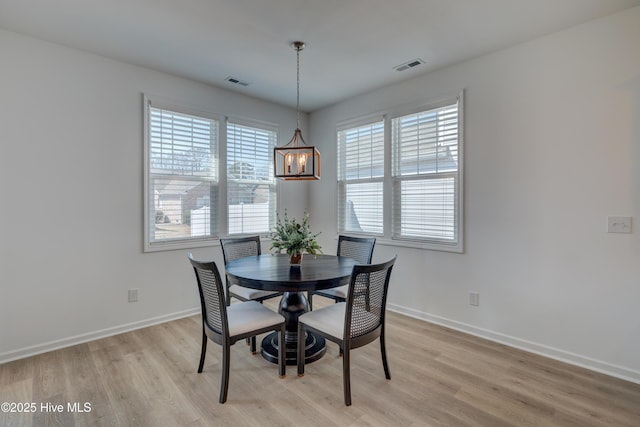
x,y
531,347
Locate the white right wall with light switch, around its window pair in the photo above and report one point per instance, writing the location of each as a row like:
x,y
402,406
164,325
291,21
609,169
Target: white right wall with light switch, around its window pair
x,y
552,139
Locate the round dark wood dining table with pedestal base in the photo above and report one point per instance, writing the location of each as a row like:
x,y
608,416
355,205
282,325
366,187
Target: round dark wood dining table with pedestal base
x,y
275,273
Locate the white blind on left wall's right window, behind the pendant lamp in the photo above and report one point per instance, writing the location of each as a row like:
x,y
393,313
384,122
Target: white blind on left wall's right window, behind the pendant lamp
x,y
251,187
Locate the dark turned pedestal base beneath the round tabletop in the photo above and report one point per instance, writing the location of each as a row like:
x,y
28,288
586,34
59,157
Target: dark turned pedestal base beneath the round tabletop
x,y
292,306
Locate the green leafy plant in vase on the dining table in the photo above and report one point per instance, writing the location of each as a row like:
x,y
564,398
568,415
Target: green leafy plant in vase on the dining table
x,y
294,238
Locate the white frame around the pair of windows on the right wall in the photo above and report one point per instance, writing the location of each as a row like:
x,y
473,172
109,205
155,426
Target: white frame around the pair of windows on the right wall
x,y
388,236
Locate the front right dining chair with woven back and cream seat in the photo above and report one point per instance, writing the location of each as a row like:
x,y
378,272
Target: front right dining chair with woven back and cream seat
x,y
353,323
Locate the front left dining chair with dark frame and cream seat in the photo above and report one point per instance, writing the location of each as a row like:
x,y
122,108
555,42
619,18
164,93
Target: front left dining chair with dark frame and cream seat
x,y
225,325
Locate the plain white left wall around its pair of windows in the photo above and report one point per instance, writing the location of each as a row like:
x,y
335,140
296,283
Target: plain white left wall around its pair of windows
x,y
72,195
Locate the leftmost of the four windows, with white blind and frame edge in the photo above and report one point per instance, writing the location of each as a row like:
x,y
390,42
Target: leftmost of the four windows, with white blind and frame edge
x,y
181,177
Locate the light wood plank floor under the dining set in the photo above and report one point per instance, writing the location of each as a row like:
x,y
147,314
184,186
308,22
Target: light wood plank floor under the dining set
x,y
439,377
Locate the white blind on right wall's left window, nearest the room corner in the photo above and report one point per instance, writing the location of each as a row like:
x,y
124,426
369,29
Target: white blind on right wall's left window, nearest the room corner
x,y
360,178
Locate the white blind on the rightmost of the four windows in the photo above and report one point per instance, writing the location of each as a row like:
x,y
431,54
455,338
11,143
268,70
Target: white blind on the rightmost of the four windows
x,y
426,176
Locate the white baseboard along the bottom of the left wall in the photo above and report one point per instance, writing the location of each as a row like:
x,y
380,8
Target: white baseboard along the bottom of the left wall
x,y
82,338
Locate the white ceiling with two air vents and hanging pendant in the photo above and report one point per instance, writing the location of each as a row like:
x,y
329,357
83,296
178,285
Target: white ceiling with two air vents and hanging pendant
x,y
352,45
